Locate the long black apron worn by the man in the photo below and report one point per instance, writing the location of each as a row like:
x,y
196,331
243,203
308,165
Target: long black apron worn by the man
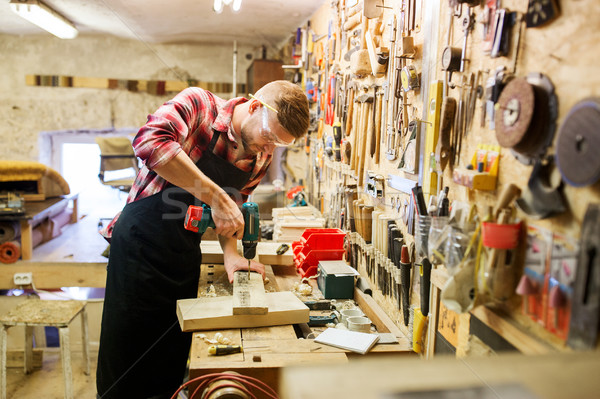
x,y
153,263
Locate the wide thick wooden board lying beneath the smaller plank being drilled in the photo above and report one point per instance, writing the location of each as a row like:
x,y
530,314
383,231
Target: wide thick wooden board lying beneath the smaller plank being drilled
x,y
216,313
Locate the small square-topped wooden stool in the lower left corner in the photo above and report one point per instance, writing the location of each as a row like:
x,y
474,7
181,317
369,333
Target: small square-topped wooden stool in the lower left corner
x,y
34,312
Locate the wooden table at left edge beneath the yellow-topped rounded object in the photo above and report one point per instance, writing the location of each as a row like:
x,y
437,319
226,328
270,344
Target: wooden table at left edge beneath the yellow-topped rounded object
x,y
35,212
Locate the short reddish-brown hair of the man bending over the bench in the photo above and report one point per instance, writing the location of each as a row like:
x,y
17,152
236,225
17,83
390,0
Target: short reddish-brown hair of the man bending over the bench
x,y
291,104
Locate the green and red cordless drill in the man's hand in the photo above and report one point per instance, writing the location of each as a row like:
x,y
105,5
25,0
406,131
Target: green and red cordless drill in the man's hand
x,y
199,218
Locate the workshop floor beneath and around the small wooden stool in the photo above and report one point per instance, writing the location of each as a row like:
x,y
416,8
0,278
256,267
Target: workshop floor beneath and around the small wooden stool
x,y
48,381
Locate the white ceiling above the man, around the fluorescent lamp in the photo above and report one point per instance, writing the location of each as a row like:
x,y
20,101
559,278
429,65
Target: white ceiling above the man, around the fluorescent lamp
x,y
259,22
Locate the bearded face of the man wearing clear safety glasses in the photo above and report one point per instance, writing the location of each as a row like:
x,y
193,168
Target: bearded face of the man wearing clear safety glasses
x,y
261,132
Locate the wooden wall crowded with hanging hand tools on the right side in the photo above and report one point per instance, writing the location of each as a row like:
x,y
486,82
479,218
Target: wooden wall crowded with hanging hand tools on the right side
x,y
455,141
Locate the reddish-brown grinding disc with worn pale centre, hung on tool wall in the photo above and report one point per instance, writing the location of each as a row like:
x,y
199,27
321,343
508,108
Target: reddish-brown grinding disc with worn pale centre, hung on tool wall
x,y
515,108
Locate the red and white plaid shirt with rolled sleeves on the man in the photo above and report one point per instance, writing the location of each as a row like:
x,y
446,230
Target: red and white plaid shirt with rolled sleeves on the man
x,y
186,123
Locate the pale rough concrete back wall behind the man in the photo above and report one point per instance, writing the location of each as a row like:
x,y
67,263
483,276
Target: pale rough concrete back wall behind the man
x,y
25,111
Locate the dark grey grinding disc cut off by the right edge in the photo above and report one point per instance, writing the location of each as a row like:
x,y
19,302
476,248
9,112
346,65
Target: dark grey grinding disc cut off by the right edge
x,y
578,142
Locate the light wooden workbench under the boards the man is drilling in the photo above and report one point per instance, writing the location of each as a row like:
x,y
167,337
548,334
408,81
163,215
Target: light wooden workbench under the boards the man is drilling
x,y
268,349
